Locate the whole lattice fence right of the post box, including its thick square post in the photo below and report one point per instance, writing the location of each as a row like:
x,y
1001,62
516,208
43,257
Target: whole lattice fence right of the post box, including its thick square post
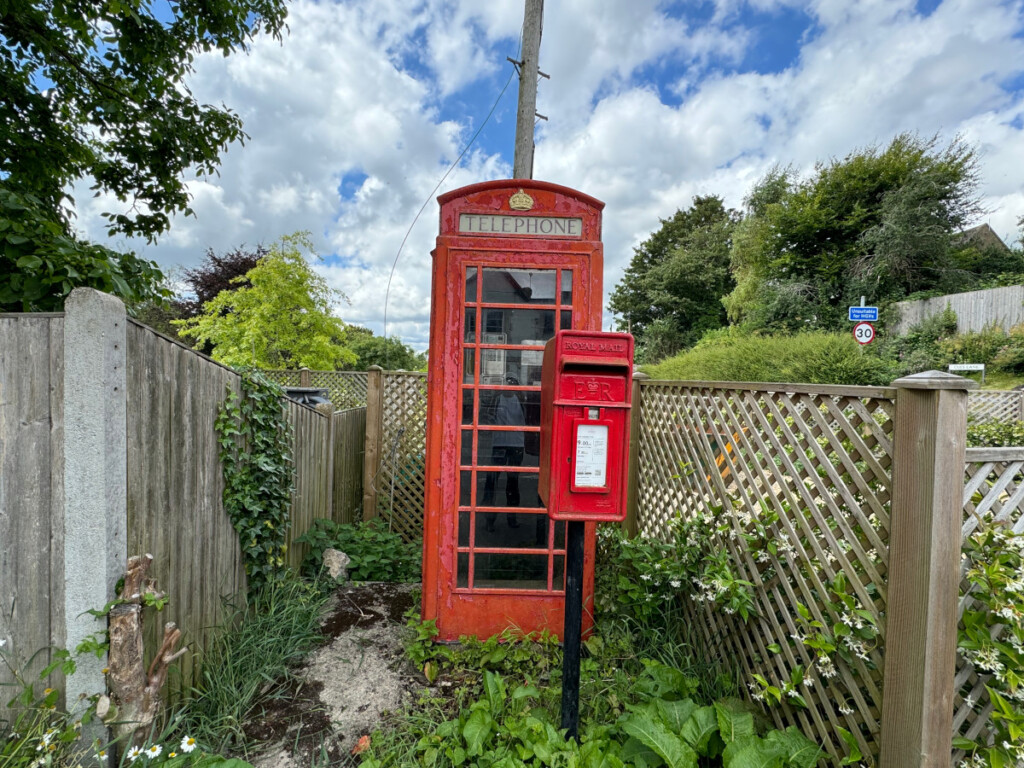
x,y
809,489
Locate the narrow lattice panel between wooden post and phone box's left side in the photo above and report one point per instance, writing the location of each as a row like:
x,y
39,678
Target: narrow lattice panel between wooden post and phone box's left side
x,y
400,481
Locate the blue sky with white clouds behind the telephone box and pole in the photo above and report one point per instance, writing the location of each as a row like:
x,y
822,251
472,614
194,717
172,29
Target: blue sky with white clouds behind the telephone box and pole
x,y
358,114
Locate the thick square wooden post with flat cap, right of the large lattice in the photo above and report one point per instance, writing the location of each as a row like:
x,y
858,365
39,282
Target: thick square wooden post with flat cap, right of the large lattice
x,y
929,445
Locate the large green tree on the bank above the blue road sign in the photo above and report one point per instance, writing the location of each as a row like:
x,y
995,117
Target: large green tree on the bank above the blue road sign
x,y
878,224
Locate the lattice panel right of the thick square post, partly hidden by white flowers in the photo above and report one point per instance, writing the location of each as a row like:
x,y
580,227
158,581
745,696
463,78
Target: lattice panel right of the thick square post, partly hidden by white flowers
x,y
994,494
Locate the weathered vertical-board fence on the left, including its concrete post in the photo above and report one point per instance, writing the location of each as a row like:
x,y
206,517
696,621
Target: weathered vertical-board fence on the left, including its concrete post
x,y
162,496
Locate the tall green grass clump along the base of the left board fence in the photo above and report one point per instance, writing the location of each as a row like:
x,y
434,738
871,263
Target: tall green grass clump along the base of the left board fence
x,y
253,661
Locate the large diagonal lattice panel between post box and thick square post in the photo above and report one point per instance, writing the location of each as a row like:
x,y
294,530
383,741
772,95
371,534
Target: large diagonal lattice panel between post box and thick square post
x,y
797,484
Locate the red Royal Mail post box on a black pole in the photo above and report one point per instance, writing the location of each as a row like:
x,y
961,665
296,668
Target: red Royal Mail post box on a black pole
x,y
586,397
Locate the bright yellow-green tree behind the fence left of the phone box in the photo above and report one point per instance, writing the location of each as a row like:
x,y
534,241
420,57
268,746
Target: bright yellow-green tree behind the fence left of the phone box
x,y
282,320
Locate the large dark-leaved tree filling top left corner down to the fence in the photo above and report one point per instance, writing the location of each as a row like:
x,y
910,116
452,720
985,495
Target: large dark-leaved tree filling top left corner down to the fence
x,y
97,91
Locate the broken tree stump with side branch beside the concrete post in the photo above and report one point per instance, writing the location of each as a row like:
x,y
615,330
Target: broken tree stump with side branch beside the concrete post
x,y
135,691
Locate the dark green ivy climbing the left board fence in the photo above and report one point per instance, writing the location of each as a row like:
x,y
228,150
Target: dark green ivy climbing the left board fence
x,y
257,460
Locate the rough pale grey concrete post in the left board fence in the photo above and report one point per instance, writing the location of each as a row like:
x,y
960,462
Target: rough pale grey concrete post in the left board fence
x,y
96,473
